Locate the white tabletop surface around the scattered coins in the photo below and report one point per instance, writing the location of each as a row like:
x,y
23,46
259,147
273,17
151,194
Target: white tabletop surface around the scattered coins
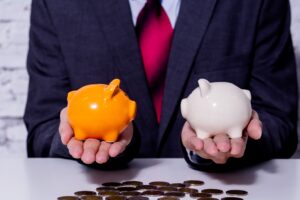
x,y
47,179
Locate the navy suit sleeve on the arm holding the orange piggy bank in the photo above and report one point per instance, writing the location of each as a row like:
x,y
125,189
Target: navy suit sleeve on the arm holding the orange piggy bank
x,y
48,88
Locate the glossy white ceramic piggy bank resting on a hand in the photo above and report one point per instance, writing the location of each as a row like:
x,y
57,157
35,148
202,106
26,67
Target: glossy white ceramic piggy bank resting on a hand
x,y
217,108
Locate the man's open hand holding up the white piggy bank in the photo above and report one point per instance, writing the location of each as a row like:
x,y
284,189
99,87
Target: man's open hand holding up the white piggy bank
x,y
220,147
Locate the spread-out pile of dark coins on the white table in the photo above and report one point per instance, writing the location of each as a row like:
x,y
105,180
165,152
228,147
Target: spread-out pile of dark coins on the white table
x,y
160,190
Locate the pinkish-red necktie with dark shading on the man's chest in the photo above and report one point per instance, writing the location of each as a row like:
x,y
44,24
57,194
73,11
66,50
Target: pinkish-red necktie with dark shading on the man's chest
x,y
154,32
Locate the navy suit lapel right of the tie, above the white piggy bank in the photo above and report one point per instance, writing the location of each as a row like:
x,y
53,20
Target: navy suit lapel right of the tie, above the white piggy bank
x,y
192,22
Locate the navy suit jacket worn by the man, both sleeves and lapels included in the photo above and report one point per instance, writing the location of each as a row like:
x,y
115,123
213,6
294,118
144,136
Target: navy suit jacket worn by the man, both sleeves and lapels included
x,y
248,43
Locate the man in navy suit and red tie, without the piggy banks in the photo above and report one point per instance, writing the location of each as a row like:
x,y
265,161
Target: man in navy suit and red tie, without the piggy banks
x,y
248,43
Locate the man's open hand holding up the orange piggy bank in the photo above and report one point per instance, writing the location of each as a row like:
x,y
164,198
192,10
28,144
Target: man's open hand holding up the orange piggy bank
x,y
92,150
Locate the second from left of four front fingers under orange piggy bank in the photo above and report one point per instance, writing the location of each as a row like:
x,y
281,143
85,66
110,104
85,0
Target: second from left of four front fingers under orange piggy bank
x,y
90,149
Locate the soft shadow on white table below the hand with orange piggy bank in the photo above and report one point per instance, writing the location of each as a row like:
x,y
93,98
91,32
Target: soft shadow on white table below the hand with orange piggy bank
x,y
95,176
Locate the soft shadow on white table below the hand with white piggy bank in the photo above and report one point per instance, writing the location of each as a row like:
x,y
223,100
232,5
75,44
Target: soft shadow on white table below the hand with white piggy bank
x,y
247,176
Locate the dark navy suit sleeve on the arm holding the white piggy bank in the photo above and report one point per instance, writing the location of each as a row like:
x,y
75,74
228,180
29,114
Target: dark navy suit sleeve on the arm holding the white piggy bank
x,y
273,84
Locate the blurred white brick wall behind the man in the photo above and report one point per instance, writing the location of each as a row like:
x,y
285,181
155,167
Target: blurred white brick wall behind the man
x,y
14,26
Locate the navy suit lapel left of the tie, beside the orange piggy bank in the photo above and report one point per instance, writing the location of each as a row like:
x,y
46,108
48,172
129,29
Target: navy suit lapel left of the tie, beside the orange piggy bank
x,y
116,22
